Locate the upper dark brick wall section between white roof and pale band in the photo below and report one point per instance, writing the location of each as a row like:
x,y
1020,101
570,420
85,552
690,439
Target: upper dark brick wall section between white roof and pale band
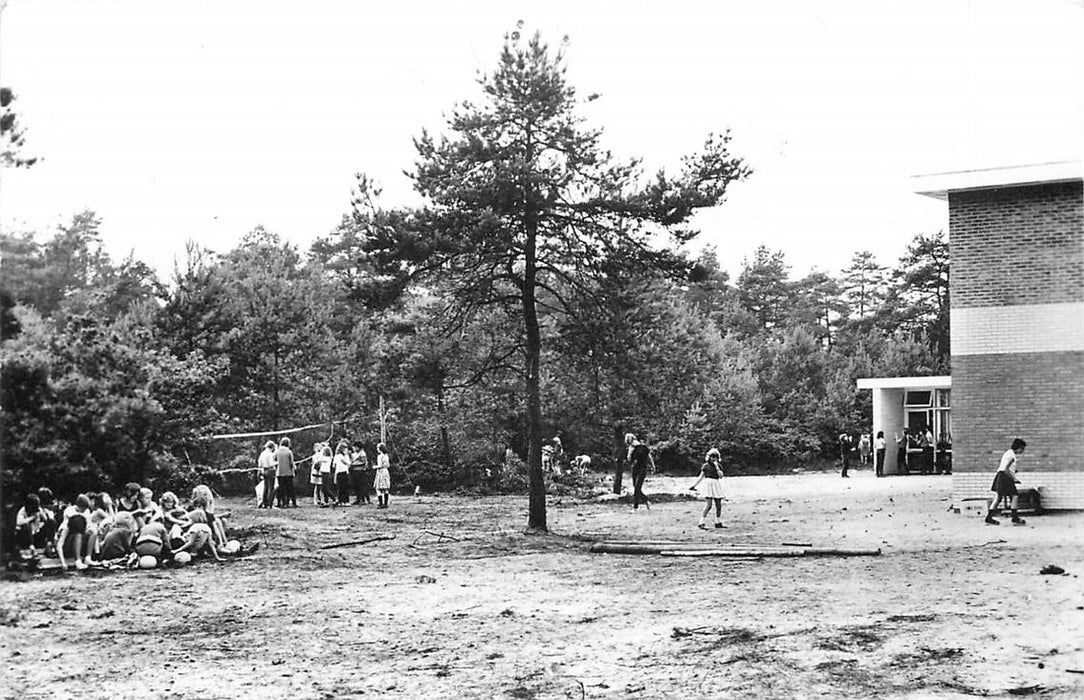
x,y
1017,245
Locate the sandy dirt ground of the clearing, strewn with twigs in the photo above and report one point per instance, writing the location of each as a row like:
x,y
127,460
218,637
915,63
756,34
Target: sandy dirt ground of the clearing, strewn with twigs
x,y
951,608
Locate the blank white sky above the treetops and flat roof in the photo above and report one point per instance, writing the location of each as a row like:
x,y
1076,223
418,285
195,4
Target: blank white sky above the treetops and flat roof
x,y
200,121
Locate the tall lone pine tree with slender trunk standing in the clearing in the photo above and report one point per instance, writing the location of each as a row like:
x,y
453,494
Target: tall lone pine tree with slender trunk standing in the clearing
x,y
527,214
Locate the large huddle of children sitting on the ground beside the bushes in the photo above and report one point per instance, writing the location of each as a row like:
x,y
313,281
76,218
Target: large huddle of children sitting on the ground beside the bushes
x,y
96,530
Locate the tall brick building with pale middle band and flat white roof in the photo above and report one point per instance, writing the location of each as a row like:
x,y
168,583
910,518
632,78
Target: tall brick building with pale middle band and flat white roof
x,y
1017,314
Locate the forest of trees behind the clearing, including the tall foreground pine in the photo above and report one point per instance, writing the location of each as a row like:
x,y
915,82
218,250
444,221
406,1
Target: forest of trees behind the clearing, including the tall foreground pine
x,y
546,288
